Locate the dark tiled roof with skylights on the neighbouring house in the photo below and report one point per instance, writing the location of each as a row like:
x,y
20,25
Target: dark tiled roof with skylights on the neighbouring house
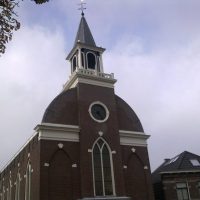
x,y
184,162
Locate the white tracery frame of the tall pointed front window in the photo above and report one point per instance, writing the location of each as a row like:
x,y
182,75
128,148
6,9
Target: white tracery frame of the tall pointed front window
x,y
111,166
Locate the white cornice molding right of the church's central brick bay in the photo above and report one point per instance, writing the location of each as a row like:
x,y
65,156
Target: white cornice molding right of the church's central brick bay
x,y
133,138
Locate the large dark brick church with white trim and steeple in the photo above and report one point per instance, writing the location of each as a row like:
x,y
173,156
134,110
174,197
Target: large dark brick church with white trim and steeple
x,y
90,143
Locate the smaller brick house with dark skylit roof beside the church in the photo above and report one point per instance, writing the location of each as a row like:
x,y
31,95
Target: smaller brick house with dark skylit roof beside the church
x,y
178,178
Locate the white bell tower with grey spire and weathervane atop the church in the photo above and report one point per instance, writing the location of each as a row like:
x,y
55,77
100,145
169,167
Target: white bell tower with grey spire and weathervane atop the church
x,y
86,59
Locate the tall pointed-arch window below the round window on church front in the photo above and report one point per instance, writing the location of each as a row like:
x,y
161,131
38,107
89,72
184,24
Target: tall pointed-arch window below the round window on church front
x,y
102,169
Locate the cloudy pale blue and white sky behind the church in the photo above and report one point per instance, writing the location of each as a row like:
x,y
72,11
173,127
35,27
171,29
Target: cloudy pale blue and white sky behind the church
x,y
153,48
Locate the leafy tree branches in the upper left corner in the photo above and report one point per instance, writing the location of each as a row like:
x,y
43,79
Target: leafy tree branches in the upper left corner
x,y
8,21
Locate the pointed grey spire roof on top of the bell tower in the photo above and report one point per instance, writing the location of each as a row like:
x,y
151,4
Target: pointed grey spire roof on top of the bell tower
x,y
84,34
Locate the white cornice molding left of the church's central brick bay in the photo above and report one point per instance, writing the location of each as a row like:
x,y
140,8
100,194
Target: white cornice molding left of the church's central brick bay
x,y
58,132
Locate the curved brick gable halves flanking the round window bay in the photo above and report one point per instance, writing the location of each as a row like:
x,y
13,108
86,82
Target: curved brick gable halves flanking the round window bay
x,y
64,110
